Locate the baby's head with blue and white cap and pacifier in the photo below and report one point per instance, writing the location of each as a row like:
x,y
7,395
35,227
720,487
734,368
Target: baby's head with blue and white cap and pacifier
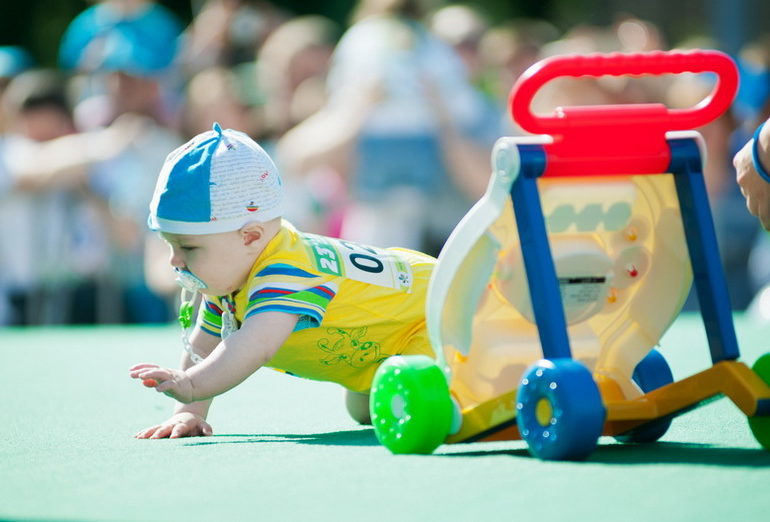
x,y
217,202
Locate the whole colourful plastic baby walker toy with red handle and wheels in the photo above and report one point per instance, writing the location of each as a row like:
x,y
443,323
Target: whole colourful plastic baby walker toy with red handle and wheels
x,y
552,292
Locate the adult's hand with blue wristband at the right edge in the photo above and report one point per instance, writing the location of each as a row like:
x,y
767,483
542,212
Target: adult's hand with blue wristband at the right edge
x,y
753,187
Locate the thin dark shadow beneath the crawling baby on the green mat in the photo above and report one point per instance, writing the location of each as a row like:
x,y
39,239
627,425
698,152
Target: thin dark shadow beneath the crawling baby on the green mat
x,y
362,437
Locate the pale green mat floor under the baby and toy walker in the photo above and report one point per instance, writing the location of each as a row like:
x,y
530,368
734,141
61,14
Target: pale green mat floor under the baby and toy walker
x,y
285,449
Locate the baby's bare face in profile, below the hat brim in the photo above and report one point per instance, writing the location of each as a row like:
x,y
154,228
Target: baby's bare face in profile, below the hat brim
x,y
222,261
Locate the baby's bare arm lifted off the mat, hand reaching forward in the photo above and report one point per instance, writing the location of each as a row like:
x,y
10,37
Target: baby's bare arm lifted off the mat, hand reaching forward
x,y
231,362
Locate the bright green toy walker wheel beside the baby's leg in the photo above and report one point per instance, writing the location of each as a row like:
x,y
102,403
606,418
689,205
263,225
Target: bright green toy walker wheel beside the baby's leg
x,y
410,404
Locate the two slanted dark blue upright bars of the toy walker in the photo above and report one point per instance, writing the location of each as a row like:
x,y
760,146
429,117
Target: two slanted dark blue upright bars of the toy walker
x,y
709,278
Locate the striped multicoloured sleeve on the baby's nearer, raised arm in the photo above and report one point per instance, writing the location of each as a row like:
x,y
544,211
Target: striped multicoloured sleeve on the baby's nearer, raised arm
x,y
285,288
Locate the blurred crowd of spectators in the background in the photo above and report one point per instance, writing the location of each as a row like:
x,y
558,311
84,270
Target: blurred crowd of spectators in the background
x,y
382,130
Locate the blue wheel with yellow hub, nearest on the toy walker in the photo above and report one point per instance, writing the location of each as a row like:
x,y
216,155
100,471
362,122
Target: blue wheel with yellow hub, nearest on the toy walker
x,y
559,410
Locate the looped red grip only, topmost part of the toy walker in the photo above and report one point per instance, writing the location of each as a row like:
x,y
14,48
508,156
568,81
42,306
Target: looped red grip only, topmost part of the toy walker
x,y
619,64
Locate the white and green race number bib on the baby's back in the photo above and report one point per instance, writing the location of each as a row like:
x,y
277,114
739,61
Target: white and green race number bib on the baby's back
x,y
363,263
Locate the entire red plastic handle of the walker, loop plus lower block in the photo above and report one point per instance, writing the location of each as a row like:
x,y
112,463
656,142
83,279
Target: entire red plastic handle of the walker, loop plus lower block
x,y
618,139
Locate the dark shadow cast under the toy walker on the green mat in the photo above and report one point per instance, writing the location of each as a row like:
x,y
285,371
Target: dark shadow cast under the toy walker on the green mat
x,y
659,453
